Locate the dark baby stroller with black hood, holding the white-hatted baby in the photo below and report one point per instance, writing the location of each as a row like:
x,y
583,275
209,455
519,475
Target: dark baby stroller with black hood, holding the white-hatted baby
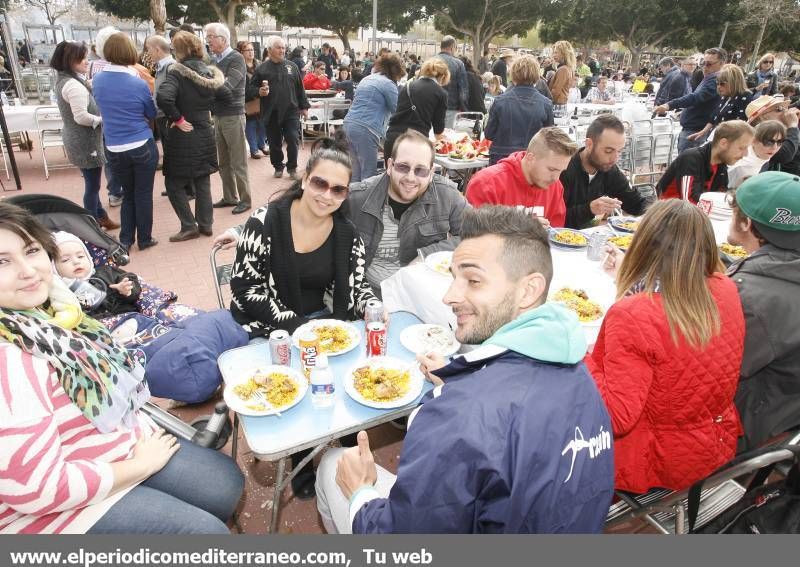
x,y
57,213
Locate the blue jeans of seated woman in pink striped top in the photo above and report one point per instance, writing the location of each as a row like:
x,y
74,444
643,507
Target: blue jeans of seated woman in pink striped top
x,y
195,493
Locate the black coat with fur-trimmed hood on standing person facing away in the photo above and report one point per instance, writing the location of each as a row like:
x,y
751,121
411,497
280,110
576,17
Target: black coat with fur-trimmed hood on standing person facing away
x,y
188,92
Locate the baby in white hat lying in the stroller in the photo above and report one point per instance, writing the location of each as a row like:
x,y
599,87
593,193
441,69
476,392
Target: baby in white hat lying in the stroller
x,y
102,291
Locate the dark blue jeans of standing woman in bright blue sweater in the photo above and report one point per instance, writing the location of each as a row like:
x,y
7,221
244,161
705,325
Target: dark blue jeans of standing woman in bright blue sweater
x,y
135,170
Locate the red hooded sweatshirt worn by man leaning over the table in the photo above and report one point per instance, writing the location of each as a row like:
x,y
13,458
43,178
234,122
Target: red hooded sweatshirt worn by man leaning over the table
x,y
505,184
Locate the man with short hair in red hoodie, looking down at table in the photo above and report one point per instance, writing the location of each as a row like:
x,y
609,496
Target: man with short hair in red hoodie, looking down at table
x,y
528,179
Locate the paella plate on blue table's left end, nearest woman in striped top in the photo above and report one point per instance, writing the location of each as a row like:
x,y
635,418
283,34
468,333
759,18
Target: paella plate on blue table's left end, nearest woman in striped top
x,y
265,391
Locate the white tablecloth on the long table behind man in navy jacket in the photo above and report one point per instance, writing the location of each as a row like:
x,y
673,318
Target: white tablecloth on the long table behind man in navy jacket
x,y
419,290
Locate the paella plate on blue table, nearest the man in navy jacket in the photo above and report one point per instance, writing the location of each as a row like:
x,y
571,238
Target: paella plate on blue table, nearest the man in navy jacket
x,y
384,382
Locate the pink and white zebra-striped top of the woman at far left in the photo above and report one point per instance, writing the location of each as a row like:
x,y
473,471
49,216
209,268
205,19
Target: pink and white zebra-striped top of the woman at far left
x,y
55,475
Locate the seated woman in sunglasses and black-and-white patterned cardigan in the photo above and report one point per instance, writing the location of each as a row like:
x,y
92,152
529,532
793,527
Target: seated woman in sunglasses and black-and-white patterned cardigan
x,y
300,258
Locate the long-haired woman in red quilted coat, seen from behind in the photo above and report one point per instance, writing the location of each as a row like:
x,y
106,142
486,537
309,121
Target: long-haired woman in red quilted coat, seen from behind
x,y
668,355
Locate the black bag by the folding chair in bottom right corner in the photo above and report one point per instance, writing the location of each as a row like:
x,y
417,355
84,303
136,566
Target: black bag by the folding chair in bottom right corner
x,y
772,508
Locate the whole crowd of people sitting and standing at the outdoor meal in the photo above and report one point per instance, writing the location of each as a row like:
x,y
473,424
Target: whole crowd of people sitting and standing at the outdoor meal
x,y
531,431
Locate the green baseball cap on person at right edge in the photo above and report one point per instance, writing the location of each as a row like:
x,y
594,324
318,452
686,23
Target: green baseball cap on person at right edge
x,y
772,201
